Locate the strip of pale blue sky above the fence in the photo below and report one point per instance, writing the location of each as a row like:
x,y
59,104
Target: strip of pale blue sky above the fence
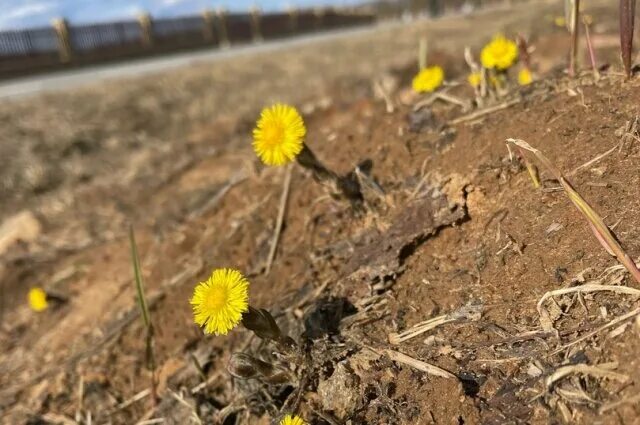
x,y
16,14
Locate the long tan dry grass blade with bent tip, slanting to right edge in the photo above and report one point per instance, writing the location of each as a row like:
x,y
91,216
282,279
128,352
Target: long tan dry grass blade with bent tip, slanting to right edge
x,y
599,228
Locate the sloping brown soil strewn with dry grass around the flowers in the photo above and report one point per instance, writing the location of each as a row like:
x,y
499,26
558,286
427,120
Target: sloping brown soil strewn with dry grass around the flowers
x,y
459,226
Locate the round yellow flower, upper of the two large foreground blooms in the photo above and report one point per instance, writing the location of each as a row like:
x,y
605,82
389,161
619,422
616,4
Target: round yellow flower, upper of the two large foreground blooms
x,y
279,133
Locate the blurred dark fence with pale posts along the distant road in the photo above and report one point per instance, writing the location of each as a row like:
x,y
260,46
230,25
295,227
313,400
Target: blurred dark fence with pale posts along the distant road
x,y
63,45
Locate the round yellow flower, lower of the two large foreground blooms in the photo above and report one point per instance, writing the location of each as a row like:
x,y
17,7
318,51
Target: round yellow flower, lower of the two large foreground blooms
x,y
218,302
